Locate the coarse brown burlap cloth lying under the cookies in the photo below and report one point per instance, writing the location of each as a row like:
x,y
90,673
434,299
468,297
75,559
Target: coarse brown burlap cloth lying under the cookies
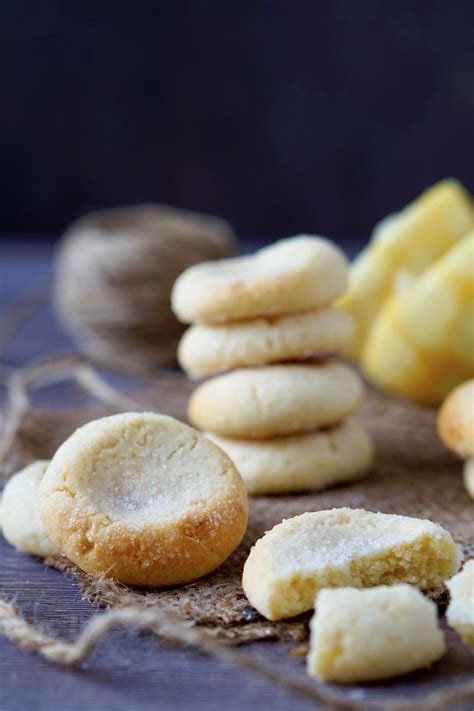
x,y
413,475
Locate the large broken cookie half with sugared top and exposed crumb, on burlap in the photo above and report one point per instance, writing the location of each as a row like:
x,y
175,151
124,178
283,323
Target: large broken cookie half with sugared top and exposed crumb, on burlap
x,y
340,548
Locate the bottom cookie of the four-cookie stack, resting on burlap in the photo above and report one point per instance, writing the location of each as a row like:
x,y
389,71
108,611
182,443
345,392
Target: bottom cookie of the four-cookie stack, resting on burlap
x,y
296,463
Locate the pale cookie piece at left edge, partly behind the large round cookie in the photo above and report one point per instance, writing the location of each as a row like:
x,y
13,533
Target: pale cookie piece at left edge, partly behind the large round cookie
x,y
20,515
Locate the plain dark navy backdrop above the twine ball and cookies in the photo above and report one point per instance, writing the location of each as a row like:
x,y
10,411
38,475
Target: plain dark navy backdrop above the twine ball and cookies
x,y
280,116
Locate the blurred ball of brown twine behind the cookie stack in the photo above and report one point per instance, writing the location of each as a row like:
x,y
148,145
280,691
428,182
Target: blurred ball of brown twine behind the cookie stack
x,y
114,271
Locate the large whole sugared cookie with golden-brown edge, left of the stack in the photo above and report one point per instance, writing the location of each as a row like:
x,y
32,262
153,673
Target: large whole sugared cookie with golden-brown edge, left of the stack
x,y
143,499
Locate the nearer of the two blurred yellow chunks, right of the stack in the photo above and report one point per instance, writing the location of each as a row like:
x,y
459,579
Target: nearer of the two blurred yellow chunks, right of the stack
x,y
420,344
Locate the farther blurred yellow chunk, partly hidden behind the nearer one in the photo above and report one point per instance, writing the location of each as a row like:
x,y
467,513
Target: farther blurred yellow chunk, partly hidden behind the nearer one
x,y
402,246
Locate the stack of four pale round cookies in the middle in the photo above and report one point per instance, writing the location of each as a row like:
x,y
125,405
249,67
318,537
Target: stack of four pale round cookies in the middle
x,y
282,410
